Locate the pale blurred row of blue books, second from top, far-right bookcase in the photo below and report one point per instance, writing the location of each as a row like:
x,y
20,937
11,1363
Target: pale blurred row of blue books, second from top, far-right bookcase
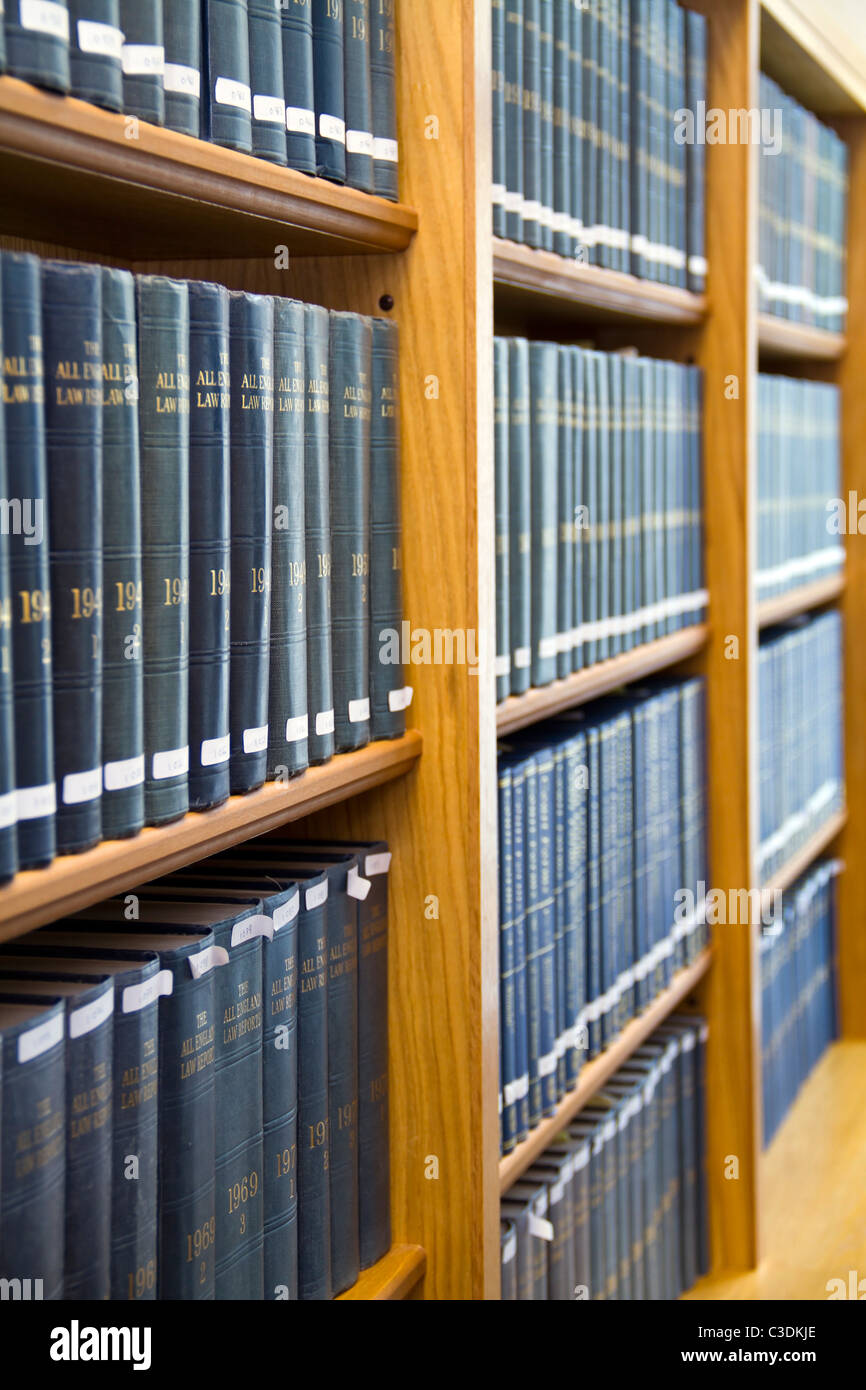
x,y
800,475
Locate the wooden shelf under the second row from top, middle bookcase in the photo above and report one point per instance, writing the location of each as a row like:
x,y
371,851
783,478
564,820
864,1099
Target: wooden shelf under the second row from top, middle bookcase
x,y
519,711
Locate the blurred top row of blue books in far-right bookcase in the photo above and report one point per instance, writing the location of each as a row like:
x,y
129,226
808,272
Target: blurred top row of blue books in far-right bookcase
x,y
803,216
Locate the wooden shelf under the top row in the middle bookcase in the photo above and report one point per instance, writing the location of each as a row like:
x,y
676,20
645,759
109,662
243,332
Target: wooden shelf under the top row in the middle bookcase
x,y
528,280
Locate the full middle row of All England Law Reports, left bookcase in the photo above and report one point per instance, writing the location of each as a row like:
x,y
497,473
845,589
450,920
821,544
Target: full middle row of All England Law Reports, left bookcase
x,y
199,548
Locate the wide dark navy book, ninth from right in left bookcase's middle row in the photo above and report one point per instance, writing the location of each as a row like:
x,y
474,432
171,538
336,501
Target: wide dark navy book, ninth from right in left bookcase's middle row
x,y
72,326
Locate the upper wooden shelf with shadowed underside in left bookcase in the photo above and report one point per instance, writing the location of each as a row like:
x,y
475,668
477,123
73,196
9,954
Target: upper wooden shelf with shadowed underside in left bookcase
x,y
72,172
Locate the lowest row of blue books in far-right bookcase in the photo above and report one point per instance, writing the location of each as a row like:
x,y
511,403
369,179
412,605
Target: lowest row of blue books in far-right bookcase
x,y
799,1015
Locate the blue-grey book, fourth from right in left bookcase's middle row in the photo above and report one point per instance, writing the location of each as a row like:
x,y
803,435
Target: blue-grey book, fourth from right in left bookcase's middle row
x,y
288,717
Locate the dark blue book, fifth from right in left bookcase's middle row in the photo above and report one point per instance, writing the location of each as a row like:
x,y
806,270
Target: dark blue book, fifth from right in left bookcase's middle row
x,y
252,493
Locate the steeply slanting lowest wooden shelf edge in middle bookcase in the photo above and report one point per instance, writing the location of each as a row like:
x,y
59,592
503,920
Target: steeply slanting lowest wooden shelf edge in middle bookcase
x,y
601,1070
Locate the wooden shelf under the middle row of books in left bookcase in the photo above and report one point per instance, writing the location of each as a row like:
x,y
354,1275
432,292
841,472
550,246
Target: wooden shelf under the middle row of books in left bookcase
x,y
74,882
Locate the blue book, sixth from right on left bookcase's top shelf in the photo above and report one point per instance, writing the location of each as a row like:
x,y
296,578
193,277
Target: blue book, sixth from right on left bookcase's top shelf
x,y
230,105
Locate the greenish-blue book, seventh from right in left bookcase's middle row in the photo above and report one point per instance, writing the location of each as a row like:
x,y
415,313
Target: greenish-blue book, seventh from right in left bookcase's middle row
x,y
163,325
